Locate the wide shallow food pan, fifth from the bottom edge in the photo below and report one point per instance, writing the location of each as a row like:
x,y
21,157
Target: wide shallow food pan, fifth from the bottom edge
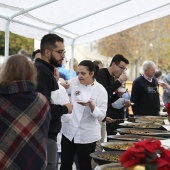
x,y
147,132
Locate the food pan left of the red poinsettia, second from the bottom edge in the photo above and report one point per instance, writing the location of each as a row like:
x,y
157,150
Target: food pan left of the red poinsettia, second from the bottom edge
x,y
105,157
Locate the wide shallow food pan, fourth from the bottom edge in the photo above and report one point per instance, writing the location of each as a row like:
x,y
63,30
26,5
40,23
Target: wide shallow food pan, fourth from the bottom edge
x,y
134,138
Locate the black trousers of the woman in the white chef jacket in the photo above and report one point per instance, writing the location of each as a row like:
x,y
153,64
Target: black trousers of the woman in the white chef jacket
x,y
69,149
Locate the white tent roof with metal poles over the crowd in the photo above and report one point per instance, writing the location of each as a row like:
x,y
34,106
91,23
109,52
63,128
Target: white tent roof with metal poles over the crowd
x,y
78,20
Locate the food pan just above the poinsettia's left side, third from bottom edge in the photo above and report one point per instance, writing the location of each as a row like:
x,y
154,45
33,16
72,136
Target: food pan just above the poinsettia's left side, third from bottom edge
x,y
117,145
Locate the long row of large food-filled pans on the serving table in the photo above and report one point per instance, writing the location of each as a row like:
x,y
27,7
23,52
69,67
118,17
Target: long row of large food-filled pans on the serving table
x,y
141,128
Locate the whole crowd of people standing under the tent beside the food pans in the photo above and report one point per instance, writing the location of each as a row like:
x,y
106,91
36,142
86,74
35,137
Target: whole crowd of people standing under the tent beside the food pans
x,y
43,118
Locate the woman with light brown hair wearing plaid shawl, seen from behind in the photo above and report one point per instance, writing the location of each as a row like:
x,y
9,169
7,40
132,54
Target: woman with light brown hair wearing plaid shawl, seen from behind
x,y
24,117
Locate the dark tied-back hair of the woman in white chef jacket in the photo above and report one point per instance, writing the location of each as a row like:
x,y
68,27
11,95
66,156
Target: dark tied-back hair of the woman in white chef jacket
x,y
90,66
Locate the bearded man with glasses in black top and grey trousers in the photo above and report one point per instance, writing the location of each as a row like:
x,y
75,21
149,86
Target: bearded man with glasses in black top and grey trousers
x,y
52,55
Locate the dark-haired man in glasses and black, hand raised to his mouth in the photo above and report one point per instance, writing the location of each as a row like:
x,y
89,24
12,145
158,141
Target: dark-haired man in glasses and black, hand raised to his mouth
x,y
112,78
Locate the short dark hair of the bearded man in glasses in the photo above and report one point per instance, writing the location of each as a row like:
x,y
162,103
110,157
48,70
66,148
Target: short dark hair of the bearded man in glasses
x,y
48,42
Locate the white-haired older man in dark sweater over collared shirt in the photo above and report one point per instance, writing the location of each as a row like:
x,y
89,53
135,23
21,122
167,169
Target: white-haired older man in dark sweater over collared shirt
x,y
145,94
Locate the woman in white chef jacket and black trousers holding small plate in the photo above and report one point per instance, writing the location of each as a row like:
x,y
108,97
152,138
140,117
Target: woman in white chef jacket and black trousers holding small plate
x,y
80,133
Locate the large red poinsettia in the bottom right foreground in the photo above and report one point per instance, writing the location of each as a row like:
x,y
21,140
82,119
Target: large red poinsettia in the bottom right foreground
x,y
149,153
